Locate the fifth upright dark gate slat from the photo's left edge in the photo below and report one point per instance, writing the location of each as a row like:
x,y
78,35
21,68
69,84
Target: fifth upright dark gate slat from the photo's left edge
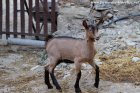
x,y
30,16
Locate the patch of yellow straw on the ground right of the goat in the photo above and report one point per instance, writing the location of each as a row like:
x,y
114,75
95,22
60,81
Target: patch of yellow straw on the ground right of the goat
x,y
118,67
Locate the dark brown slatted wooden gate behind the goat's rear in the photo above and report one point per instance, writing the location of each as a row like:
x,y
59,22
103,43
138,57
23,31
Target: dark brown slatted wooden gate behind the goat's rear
x,y
21,18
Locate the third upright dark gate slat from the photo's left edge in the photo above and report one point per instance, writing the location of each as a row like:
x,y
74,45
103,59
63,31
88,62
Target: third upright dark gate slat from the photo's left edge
x,y
15,17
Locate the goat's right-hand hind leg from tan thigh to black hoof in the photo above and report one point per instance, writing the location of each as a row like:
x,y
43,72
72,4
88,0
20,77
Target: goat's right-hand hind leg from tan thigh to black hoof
x,y
52,66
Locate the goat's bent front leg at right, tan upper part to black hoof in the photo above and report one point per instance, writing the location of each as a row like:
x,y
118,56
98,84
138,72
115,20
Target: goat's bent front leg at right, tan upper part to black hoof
x,y
97,78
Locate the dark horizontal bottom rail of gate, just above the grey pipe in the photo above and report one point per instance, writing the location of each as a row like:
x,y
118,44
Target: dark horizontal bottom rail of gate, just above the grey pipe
x,y
20,33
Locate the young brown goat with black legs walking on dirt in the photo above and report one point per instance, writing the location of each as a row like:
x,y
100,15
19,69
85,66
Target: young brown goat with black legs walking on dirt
x,y
72,50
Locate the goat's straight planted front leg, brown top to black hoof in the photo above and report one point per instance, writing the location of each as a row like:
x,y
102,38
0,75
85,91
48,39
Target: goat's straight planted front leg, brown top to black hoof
x,y
78,72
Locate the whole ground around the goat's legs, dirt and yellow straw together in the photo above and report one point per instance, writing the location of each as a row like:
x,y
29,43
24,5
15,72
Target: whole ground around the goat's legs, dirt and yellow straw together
x,y
116,67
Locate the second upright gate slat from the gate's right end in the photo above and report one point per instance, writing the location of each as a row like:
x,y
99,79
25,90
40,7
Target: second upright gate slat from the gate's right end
x,y
45,17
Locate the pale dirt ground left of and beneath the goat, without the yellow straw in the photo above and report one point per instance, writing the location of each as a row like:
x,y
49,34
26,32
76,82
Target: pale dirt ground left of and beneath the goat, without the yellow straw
x,y
16,75
